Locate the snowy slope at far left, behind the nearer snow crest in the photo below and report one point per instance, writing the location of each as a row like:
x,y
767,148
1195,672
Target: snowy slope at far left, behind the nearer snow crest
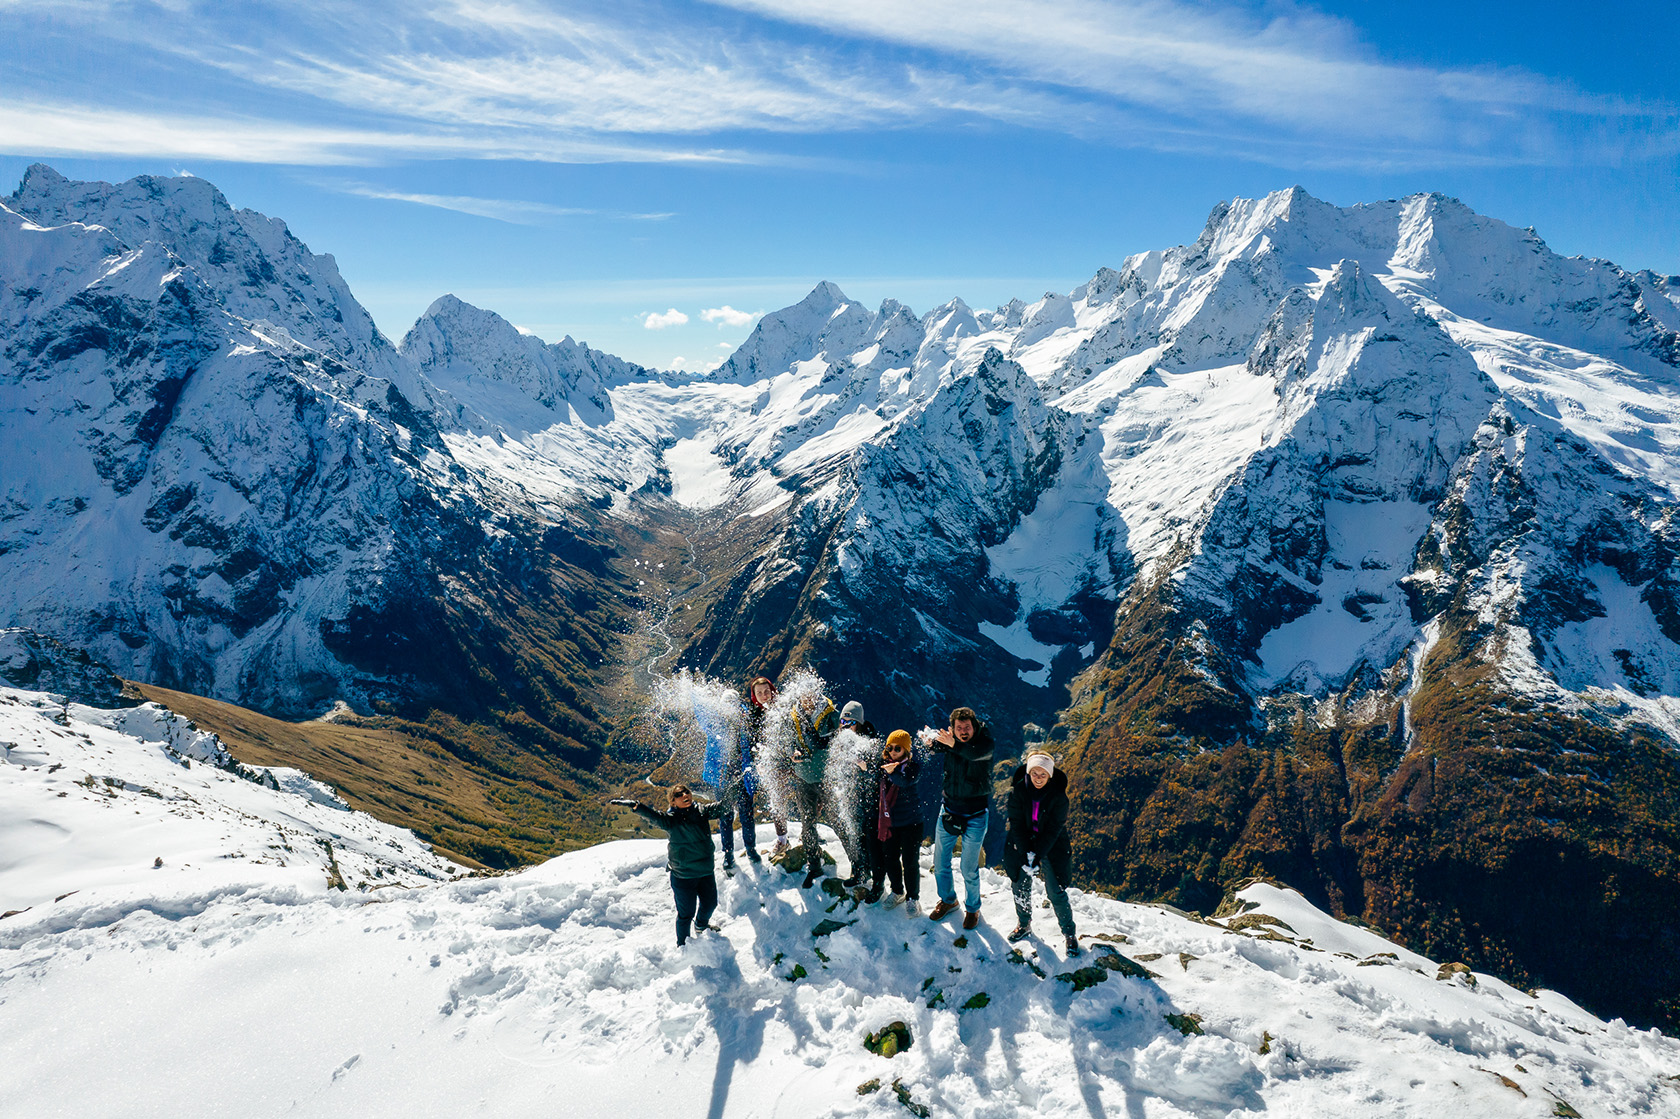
x,y
92,801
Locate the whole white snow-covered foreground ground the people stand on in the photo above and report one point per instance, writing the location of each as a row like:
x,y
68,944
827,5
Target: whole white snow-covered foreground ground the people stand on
x,y
234,980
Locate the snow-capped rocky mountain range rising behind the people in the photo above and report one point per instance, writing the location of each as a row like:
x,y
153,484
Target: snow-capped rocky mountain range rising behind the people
x,y
1350,528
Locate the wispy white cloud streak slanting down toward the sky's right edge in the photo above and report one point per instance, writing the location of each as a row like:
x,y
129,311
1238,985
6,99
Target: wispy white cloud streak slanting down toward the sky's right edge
x,y
1180,75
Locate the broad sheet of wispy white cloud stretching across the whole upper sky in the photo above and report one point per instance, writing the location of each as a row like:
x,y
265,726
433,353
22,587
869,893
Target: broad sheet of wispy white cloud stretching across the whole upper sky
x,y
584,81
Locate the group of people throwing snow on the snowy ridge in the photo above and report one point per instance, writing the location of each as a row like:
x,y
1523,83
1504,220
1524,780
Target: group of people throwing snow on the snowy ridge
x,y
871,799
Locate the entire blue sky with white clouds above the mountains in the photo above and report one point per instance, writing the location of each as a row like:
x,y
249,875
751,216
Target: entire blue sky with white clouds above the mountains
x,y
591,169
